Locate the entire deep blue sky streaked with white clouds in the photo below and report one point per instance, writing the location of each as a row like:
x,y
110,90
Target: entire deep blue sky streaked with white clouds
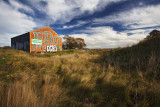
x,y
101,23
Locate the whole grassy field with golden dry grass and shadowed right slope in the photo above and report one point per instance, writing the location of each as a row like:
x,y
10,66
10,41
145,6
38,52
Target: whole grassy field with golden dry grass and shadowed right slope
x,y
123,77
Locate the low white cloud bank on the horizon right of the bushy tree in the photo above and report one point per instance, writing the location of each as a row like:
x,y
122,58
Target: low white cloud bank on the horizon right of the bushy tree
x,y
106,37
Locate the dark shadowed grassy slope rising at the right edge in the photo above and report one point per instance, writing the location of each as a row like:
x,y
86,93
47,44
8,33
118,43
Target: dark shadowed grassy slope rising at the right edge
x,y
139,56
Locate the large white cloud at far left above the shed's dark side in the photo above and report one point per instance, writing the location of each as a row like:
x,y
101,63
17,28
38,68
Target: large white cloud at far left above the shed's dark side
x,y
13,22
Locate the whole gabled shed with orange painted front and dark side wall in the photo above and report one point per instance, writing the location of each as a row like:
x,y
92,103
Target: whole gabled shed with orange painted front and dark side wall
x,y
40,40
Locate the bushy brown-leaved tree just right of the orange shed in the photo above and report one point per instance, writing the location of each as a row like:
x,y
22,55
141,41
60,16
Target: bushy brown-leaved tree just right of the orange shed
x,y
72,43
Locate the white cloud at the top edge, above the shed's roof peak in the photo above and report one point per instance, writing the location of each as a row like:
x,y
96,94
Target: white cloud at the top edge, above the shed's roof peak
x,y
63,11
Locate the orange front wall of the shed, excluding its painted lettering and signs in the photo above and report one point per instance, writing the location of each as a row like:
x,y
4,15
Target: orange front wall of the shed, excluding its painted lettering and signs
x,y
43,46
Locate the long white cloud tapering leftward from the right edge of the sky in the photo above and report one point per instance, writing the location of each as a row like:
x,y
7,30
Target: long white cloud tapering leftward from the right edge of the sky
x,y
136,18
